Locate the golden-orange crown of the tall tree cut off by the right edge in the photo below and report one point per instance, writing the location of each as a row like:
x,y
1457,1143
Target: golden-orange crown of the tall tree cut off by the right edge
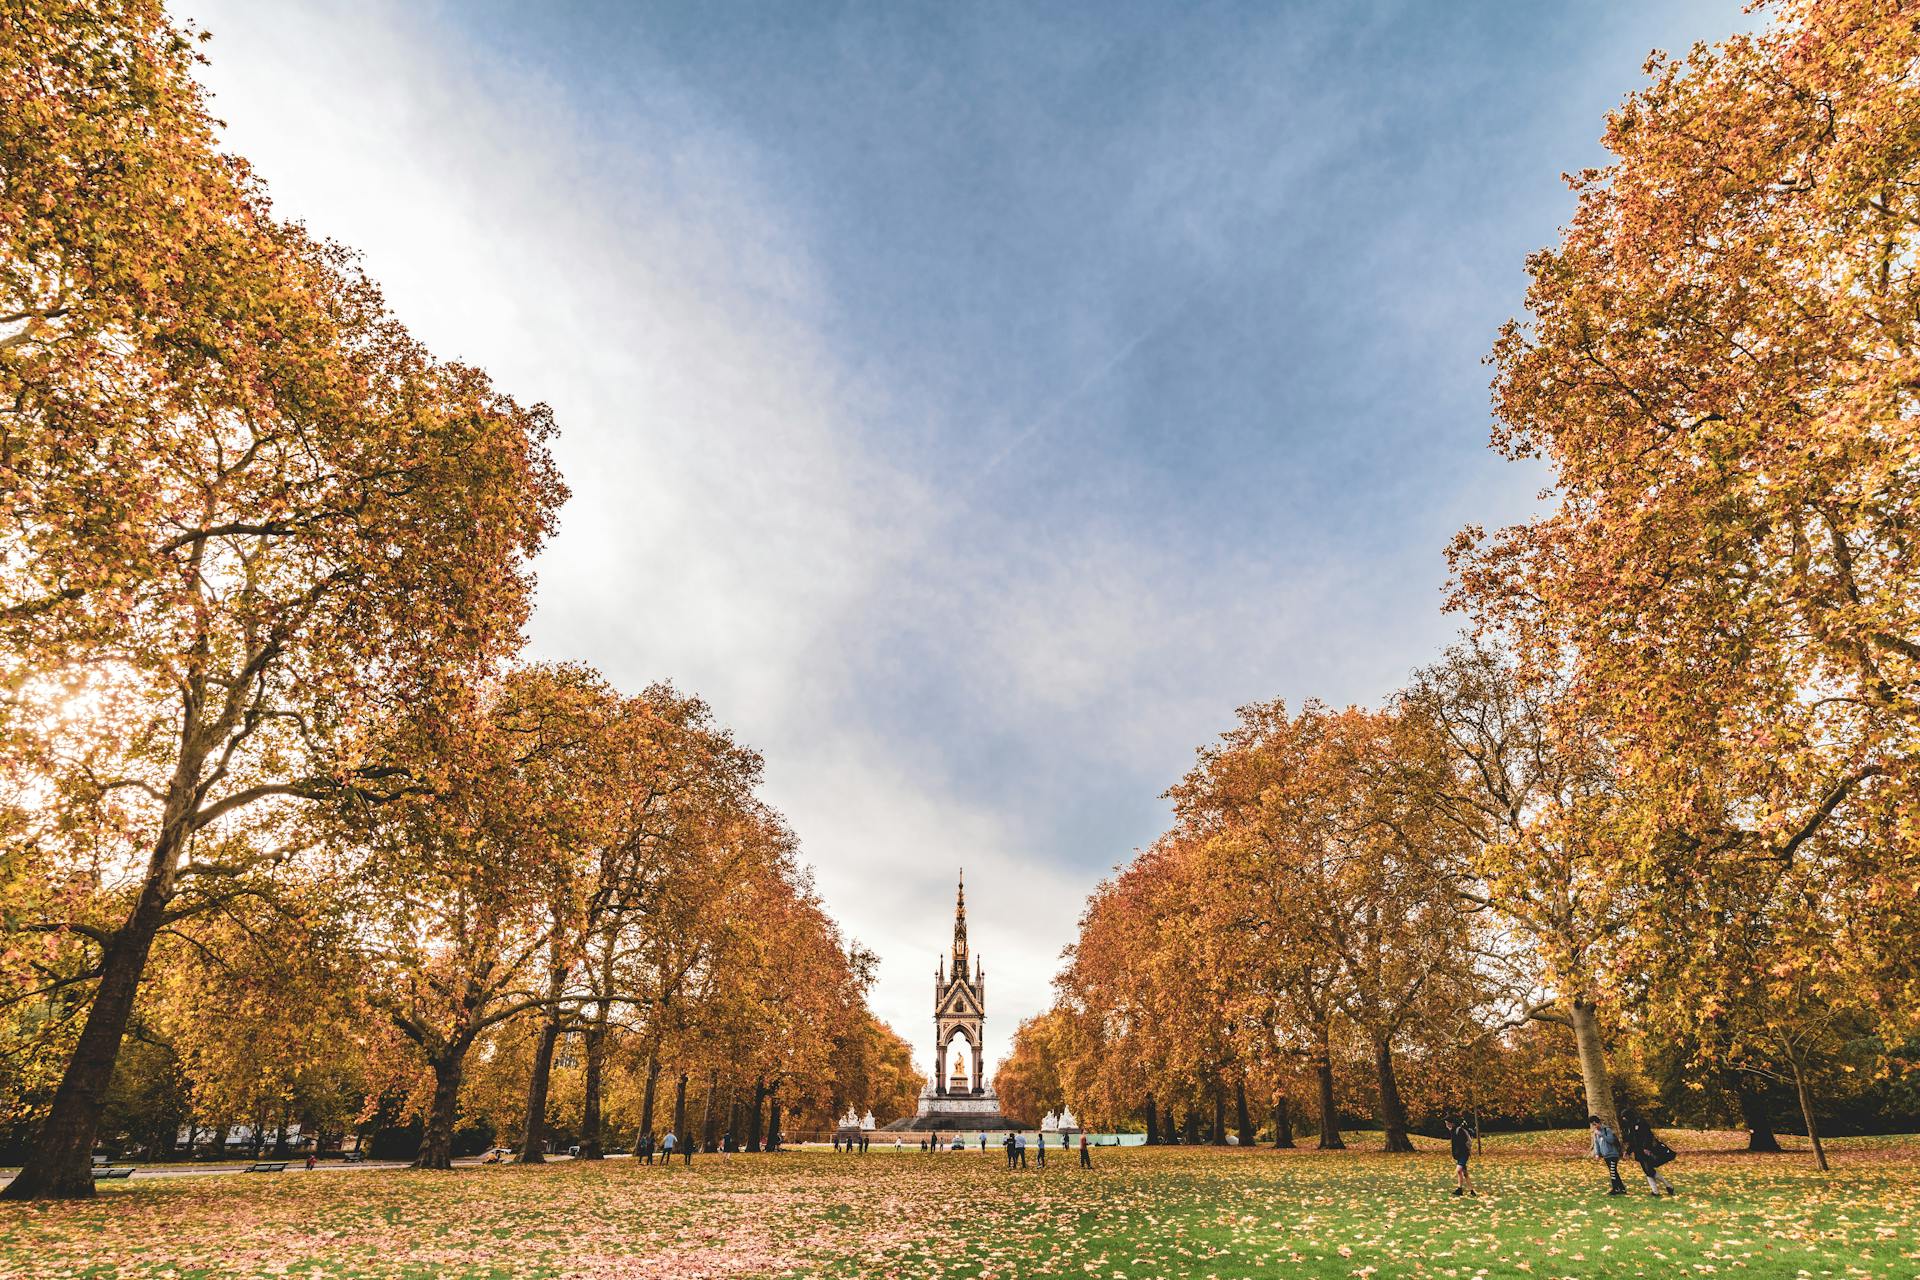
x,y
1717,366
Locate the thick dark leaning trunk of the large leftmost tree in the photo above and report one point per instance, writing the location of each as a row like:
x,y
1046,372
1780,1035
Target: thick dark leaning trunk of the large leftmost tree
x,y
60,1162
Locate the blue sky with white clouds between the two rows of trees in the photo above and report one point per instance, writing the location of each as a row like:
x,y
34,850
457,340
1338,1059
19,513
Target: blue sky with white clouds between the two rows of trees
x,y
974,402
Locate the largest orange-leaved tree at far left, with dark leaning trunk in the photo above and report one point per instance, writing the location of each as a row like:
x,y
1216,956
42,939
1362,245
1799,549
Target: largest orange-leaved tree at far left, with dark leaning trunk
x,y
231,481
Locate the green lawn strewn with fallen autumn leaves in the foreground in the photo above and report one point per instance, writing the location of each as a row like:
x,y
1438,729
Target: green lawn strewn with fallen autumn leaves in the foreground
x,y
1140,1212
